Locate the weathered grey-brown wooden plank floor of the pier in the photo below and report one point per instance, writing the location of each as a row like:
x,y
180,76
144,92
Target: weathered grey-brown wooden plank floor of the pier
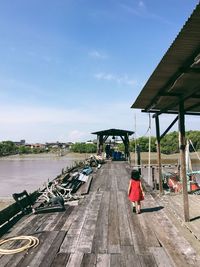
x,y
103,231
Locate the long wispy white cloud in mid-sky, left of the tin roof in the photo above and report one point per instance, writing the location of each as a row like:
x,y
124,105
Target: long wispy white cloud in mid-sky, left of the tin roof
x,y
120,79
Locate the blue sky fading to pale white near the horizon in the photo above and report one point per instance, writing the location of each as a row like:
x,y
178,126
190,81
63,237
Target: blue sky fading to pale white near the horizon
x,y
72,67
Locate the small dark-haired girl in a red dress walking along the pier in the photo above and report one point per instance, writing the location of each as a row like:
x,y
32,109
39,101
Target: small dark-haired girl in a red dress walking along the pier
x,y
135,191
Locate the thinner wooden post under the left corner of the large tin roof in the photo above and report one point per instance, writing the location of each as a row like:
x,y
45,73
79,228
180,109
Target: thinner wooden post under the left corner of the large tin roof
x,y
159,155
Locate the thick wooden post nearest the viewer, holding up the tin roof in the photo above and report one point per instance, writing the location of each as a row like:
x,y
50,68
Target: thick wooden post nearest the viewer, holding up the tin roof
x,y
182,160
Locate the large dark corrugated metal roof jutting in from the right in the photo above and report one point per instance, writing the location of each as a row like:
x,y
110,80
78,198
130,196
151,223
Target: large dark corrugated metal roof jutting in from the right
x,y
177,76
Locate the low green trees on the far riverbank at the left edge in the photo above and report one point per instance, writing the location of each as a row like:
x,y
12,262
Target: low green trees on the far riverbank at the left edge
x,y
10,148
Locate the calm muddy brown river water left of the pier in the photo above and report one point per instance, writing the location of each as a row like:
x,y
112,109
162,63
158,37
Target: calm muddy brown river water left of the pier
x,y
30,172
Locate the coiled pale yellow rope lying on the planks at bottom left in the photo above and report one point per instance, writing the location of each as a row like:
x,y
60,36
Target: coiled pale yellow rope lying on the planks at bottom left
x,y
32,242
